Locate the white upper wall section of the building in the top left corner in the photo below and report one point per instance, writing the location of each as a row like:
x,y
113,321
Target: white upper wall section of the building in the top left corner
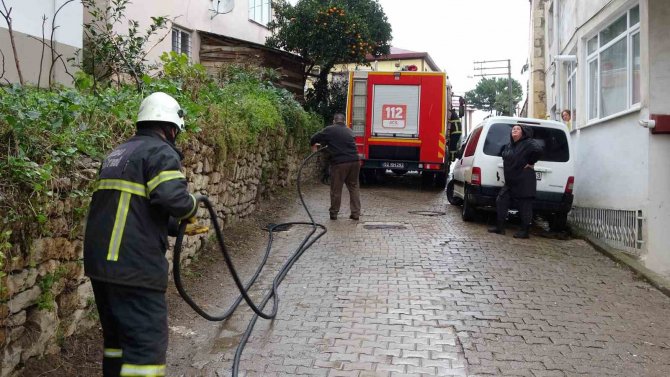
x,y
27,18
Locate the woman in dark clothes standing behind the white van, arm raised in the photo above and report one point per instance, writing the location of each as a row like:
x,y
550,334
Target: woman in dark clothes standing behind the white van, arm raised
x,y
519,158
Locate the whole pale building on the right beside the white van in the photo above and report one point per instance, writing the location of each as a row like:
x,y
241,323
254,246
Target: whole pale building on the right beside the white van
x,y
608,63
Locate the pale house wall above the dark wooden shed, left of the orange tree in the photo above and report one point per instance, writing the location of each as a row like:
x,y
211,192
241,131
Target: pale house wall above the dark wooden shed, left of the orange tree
x,y
192,16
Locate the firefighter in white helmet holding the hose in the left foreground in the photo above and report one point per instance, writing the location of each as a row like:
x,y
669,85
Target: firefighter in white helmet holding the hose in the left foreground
x,y
139,192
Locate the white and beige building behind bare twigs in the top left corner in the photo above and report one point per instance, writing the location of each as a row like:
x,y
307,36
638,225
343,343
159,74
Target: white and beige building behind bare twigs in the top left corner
x,y
35,58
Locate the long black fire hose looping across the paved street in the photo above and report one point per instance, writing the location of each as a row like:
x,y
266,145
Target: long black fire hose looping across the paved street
x,y
306,243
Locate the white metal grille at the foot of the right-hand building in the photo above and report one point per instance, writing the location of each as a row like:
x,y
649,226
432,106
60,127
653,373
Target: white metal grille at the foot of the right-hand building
x,y
621,229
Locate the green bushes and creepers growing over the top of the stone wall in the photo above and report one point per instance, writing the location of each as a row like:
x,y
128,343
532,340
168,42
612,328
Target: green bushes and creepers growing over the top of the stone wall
x,y
47,134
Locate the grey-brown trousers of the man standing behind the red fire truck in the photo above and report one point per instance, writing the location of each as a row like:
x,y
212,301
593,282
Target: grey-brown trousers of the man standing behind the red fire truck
x,y
345,173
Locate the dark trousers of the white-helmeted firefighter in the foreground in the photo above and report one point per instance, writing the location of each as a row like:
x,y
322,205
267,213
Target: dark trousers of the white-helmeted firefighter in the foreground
x,y
134,328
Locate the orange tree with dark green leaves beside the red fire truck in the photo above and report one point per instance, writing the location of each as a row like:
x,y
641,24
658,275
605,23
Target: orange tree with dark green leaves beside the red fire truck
x,y
327,33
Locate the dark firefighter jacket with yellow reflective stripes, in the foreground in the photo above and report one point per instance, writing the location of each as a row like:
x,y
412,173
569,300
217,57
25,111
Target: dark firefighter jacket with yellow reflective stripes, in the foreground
x,y
140,187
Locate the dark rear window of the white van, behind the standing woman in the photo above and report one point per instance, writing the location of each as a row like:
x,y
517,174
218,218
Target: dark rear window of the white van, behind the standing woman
x,y
553,141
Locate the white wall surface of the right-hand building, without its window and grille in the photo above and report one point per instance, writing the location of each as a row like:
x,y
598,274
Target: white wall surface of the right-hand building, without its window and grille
x,y
620,165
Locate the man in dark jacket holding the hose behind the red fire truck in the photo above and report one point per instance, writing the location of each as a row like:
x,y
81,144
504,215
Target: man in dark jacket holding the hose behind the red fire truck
x,y
344,165
